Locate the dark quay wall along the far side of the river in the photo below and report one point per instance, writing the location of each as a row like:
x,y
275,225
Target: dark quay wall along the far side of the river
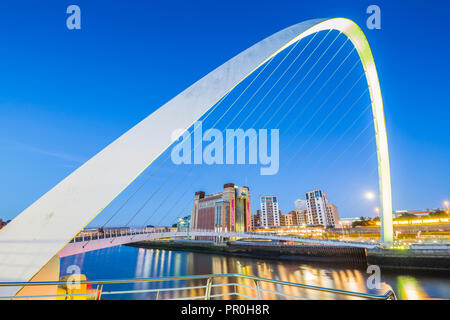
x,y
412,259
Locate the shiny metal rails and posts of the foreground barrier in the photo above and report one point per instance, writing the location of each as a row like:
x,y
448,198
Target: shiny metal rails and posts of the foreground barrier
x,y
387,296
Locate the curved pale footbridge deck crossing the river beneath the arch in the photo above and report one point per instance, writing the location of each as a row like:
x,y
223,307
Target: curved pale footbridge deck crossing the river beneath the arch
x,y
85,243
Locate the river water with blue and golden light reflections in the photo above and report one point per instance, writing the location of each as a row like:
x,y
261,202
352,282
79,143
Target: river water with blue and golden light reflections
x,y
123,262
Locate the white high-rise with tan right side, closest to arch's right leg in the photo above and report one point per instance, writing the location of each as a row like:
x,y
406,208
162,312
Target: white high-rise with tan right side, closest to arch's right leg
x,y
319,211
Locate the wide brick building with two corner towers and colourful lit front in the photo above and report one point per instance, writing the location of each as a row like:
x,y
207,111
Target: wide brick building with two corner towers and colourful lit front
x,y
228,210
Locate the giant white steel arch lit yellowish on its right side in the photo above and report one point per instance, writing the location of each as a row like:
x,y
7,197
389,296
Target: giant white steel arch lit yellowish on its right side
x,y
44,228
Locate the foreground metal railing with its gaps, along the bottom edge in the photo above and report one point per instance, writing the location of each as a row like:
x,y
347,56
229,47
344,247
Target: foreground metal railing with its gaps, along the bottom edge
x,y
209,288
